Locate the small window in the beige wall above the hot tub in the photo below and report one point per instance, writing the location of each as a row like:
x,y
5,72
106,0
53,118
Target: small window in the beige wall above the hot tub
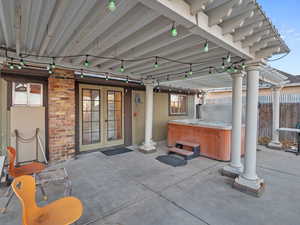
x,y
177,104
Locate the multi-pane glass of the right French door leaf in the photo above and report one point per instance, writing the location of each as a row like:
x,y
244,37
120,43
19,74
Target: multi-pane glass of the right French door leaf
x,y
114,115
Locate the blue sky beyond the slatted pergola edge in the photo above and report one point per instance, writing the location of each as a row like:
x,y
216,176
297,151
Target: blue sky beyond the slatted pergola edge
x,y
285,15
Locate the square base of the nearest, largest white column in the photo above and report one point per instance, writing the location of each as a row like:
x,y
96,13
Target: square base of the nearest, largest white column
x,y
252,187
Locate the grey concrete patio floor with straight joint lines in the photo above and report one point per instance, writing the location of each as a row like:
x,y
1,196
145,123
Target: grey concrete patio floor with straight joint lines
x,y
136,189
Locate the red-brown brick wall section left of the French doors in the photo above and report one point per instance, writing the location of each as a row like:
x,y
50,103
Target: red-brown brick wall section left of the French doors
x,y
61,113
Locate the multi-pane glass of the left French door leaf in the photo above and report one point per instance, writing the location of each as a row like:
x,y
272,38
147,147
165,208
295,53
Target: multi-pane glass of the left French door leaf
x,y
90,116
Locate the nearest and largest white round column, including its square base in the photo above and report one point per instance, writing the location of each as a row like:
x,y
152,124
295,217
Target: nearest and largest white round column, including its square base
x,y
249,180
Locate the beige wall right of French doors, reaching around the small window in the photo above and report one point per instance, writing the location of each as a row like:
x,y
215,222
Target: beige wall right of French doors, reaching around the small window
x,y
160,115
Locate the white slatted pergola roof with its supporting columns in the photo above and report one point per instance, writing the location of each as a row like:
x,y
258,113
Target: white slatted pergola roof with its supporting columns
x,y
215,43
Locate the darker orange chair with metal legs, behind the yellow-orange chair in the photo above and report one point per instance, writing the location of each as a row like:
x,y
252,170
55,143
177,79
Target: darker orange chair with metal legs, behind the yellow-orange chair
x,y
14,172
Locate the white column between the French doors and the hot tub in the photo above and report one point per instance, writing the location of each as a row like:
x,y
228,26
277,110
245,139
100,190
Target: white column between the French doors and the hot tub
x,y
148,145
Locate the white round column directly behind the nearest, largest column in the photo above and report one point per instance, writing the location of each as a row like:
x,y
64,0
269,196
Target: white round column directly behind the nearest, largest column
x,y
235,167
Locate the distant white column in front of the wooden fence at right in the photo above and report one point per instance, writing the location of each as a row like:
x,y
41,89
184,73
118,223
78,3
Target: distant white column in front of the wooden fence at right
x,y
275,143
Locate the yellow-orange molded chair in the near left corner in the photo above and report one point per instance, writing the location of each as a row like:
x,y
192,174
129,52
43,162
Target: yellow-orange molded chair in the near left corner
x,y
64,211
